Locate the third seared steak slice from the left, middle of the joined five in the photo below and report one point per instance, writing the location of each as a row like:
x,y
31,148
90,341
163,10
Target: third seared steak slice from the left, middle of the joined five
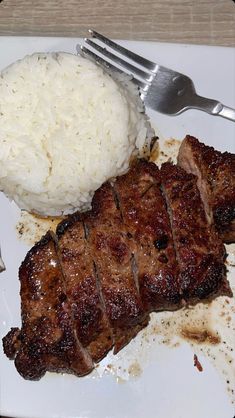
x,y
112,255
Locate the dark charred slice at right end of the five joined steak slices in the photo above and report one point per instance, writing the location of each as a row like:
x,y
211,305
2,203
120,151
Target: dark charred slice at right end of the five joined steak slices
x,y
199,250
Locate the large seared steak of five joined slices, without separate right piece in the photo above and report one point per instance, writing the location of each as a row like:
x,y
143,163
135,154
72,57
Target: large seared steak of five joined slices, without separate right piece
x,y
145,246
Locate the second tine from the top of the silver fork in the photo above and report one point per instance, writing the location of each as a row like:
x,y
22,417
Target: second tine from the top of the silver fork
x,y
117,60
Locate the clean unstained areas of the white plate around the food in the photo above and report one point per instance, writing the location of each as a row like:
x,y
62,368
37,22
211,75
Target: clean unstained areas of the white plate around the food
x,y
169,385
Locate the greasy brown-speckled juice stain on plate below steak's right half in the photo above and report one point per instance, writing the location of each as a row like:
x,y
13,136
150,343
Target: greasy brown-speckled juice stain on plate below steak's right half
x,y
208,328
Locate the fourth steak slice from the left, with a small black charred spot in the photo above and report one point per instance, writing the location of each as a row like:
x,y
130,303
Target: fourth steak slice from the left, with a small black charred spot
x,y
147,223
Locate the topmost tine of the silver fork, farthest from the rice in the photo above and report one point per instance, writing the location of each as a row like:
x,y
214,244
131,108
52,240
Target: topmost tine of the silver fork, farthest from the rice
x,y
129,54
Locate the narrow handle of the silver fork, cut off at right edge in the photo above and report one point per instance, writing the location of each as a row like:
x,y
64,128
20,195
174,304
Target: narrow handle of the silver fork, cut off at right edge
x,y
213,107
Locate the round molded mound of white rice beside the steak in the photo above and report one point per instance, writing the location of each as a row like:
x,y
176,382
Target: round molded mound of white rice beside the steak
x,y
66,126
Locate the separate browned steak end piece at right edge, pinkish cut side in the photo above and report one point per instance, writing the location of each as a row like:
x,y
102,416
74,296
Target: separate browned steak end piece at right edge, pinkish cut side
x,y
216,181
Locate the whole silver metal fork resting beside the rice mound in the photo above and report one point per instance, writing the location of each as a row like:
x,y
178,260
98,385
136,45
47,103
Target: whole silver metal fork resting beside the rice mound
x,y
161,89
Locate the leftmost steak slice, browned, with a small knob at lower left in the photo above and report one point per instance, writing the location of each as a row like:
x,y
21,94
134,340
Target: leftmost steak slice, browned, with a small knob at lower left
x,y
47,341
